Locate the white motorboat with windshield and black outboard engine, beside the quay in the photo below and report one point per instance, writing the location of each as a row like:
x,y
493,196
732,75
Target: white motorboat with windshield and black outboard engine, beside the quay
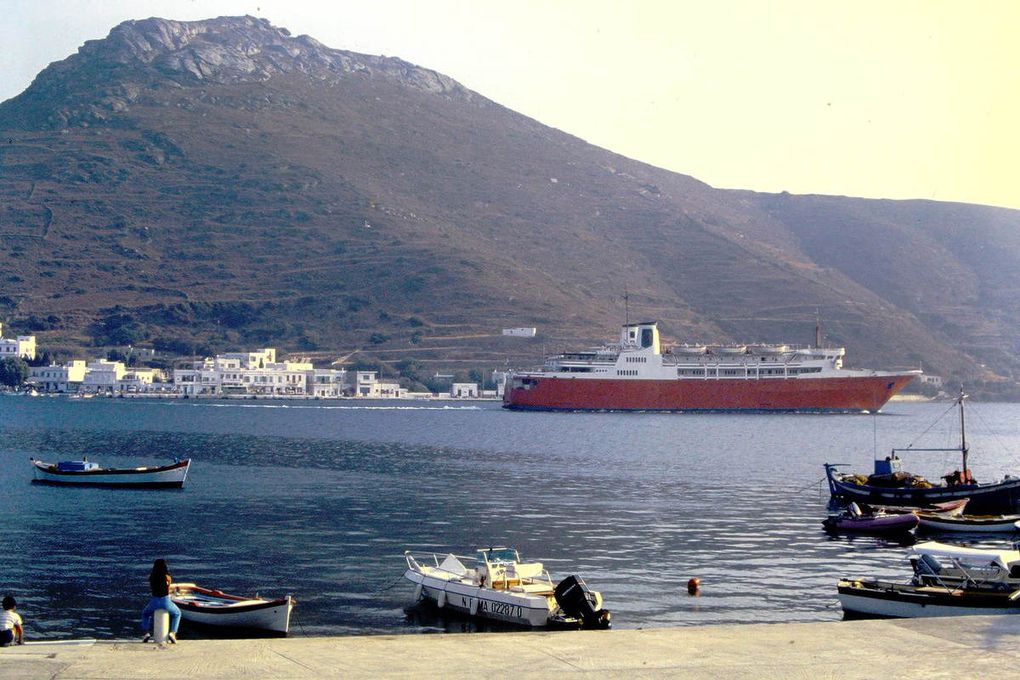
x,y
497,585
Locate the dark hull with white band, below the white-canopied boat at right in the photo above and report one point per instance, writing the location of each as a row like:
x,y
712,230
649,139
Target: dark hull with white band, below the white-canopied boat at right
x,y
884,599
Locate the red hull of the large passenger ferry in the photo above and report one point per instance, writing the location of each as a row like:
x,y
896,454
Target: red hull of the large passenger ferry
x,y
844,394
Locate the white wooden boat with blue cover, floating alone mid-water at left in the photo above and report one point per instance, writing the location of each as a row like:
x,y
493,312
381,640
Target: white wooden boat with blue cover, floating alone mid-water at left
x,y
88,474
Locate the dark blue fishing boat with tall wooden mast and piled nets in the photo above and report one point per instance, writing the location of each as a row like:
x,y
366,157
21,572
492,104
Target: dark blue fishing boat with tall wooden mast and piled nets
x,y
891,486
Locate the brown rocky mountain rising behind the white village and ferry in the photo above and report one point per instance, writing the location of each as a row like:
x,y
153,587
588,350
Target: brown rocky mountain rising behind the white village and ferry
x,y
211,186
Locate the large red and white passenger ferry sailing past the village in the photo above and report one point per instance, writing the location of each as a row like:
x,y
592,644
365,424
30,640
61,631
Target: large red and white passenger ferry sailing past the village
x,y
637,376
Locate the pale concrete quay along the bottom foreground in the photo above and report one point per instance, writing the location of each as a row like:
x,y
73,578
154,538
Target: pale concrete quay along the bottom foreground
x,y
948,648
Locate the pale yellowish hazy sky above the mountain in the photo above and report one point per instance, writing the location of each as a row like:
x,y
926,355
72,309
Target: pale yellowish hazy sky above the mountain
x,y
886,99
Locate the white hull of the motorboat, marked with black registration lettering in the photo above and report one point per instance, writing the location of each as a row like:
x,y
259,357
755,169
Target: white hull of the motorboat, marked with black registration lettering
x,y
533,611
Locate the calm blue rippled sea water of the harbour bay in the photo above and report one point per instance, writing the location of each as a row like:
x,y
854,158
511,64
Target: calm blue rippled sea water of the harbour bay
x,y
321,500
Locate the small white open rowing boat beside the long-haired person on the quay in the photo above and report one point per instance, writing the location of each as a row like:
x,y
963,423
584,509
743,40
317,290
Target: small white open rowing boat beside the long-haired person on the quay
x,y
216,608
